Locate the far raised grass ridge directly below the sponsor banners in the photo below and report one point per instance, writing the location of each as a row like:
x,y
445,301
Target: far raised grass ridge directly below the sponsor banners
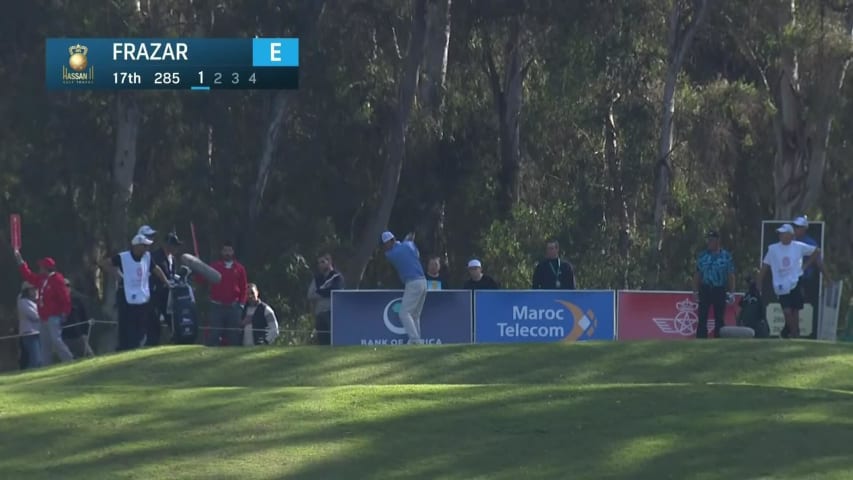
x,y
802,364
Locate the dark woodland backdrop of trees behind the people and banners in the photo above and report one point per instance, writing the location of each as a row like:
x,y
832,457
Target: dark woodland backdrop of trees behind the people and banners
x,y
544,122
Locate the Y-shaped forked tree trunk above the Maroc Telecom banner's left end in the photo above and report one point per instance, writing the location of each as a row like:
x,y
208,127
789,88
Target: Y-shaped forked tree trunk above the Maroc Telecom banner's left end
x,y
508,96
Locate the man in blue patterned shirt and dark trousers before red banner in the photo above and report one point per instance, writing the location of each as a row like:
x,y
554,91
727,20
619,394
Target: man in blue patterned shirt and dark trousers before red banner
x,y
713,283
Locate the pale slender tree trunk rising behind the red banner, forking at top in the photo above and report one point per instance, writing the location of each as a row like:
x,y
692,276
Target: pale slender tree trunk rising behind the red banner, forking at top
x,y
678,47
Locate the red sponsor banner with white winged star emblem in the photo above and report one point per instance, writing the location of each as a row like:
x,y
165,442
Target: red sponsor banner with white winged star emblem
x,y
655,315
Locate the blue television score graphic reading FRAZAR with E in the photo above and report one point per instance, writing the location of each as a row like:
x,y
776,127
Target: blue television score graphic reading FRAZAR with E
x,y
199,64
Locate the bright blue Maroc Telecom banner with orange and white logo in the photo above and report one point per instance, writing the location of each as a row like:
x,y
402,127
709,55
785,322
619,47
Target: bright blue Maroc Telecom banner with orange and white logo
x,y
532,316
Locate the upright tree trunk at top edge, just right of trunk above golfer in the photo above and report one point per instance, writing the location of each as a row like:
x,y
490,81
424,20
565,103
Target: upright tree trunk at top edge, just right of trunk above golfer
x,y
435,64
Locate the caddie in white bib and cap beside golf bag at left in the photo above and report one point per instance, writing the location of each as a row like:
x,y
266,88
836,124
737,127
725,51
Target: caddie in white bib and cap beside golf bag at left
x,y
134,268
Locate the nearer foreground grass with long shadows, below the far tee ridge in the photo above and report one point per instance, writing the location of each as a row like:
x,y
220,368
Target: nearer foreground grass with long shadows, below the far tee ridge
x,y
496,432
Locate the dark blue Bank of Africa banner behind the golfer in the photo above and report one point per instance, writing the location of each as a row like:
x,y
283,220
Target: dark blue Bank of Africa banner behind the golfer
x,y
371,317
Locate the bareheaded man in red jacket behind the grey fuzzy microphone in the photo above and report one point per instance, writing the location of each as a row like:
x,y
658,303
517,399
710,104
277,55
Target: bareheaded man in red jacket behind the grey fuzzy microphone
x,y
227,299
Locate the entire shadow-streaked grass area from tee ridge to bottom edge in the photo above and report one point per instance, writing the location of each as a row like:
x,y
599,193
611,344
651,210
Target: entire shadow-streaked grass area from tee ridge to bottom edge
x,y
732,410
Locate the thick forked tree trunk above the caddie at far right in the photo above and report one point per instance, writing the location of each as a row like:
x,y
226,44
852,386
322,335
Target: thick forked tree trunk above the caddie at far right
x,y
802,138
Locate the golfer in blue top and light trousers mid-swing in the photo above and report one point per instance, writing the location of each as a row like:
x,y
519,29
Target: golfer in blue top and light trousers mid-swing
x,y
405,258
